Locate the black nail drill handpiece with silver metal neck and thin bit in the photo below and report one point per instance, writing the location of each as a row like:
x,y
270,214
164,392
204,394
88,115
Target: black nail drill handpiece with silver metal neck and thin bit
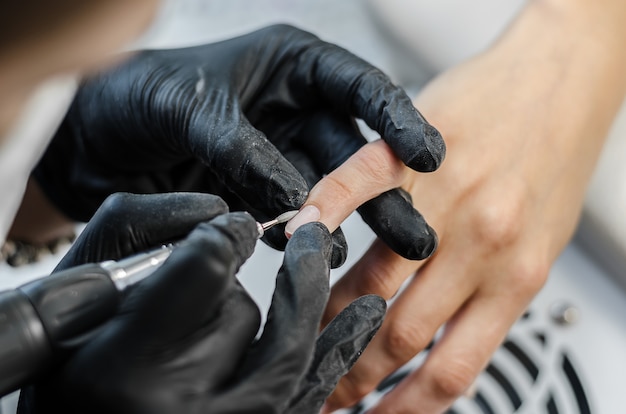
x,y
43,317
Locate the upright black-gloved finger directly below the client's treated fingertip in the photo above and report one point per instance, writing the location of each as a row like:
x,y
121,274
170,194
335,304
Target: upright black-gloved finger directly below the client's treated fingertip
x,y
284,351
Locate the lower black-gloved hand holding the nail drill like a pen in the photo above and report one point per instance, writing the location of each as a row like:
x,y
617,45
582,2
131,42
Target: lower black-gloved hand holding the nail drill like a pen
x,y
182,340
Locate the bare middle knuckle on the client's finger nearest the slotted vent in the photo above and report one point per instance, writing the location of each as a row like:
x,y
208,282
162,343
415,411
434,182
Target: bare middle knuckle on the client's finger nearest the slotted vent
x,y
451,379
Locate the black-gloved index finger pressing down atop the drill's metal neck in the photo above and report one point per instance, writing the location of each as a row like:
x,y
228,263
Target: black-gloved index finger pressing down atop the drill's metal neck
x,y
219,247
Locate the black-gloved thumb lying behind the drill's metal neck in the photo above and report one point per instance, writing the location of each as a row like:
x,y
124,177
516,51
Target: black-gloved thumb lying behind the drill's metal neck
x,y
130,223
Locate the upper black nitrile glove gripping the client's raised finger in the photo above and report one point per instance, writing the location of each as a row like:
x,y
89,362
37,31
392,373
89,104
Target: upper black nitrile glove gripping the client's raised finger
x,y
225,118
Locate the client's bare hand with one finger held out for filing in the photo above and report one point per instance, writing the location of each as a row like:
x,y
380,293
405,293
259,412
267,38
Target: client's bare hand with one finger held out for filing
x,y
524,124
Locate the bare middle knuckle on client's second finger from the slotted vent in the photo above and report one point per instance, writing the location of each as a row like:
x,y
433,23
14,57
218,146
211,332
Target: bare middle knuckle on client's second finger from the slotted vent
x,y
404,340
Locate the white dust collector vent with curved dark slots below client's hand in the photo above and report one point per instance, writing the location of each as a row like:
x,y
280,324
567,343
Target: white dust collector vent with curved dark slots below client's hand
x,y
529,374
